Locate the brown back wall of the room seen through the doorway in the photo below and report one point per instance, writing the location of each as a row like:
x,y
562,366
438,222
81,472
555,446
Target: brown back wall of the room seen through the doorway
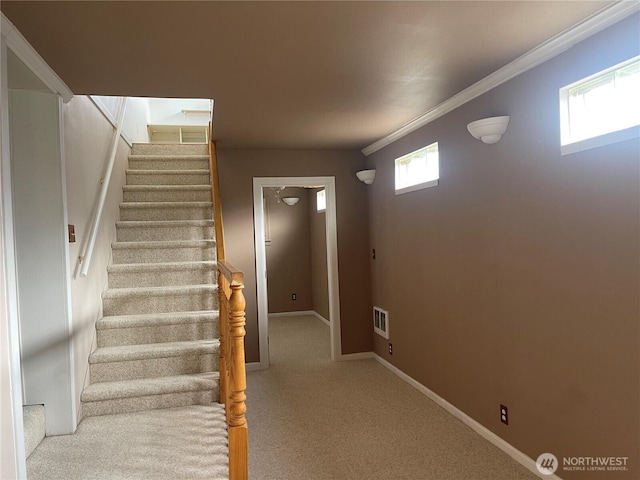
x,y
288,252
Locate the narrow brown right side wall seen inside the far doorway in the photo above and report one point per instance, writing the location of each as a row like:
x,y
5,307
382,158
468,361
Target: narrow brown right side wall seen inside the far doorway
x,y
319,274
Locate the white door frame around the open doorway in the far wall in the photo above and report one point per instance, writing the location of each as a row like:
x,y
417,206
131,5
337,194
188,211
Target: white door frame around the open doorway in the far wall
x,y
261,258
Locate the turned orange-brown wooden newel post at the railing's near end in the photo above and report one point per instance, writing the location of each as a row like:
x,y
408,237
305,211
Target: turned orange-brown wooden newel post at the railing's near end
x,y
238,460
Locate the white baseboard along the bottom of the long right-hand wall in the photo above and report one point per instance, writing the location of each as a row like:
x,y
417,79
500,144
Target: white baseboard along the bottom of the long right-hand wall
x,y
480,429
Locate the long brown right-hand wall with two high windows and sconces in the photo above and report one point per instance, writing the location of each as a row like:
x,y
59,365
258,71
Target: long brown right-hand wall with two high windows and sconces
x,y
516,280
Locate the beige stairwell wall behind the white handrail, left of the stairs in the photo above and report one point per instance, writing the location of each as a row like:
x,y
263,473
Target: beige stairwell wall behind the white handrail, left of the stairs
x,y
87,137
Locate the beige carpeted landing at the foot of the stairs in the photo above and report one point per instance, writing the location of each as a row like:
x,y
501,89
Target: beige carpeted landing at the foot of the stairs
x,y
173,443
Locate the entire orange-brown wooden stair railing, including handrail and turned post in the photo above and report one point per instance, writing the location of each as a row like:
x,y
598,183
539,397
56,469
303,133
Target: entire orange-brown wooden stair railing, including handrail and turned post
x,y
233,380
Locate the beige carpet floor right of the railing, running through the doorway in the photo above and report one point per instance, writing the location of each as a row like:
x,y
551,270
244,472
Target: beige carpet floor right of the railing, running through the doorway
x,y
310,418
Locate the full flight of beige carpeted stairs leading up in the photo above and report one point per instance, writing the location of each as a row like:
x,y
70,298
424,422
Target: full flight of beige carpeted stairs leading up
x,y
157,343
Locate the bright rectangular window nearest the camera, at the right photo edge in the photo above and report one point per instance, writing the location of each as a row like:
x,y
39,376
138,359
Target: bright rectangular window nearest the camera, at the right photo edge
x,y
594,108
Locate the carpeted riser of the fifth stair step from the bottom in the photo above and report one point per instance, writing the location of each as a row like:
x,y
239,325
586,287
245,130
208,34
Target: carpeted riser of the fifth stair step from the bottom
x,y
156,278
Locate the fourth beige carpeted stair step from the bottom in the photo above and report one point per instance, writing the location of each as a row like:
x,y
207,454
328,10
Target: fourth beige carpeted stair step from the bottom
x,y
184,298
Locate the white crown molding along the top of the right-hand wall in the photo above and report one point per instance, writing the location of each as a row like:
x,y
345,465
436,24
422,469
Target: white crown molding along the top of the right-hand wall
x,y
540,54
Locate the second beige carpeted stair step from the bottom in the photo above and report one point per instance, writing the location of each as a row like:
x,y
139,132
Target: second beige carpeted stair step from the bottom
x,y
128,362
